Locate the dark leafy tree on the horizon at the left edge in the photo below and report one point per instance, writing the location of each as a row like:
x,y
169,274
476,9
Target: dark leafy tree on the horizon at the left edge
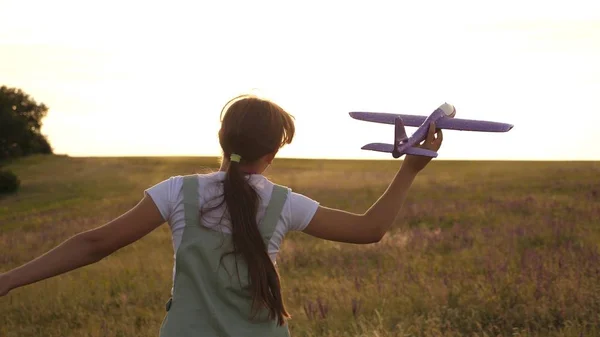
x,y
20,124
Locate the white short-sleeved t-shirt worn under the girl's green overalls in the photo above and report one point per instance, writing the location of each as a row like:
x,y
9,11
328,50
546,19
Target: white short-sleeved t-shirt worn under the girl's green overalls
x,y
297,211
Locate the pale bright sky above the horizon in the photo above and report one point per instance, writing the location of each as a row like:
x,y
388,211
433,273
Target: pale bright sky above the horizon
x,y
150,78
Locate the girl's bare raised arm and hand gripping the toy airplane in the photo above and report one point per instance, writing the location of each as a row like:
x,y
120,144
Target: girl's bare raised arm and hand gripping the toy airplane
x,y
337,225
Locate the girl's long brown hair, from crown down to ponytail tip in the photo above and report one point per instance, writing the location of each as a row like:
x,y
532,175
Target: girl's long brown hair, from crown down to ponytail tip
x,y
252,127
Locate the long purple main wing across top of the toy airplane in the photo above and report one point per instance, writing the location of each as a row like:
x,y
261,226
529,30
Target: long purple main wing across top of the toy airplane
x,y
443,123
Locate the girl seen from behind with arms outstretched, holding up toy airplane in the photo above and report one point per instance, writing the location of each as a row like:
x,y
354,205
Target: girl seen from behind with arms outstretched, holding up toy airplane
x,y
227,227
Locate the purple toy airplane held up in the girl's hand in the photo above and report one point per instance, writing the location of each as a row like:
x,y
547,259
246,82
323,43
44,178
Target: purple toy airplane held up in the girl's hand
x,y
443,118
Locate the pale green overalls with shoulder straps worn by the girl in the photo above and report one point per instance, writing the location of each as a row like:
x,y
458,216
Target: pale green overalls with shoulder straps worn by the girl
x,y
209,299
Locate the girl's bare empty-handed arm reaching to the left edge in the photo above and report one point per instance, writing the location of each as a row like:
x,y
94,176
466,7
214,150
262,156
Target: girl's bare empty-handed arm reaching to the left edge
x,y
86,247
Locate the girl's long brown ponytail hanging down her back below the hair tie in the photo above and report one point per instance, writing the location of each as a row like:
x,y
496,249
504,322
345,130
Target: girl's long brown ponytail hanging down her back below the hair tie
x,y
242,203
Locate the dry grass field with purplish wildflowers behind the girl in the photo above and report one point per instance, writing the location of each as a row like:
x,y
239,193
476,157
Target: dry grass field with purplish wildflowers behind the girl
x,y
480,249
